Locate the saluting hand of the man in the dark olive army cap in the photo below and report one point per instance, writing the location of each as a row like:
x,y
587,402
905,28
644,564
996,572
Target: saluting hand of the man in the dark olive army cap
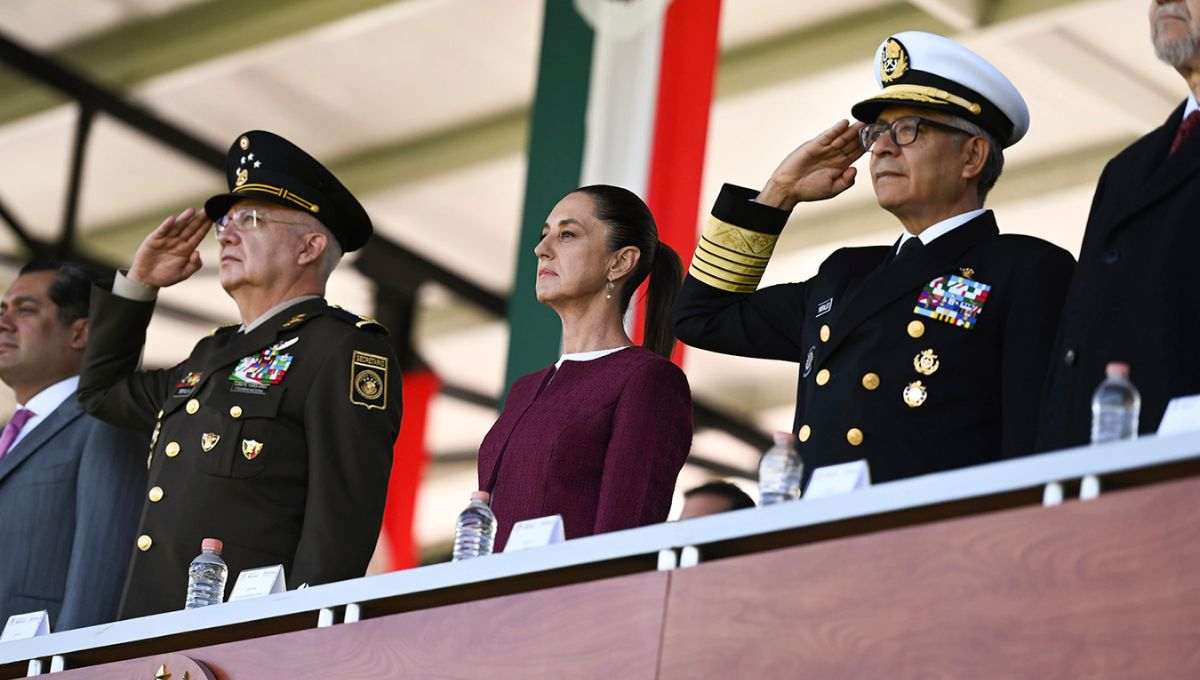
x,y
169,255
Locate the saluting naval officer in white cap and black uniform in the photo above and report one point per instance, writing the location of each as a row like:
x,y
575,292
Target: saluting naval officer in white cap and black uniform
x,y
920,357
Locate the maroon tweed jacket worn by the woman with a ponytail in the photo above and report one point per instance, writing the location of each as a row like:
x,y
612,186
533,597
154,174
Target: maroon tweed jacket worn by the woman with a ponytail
x,y
602,444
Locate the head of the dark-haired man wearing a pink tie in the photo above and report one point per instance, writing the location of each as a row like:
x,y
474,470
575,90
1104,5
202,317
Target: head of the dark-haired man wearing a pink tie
x,y
44,327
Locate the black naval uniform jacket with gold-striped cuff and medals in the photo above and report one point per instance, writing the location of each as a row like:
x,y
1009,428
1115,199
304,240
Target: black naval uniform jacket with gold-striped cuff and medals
x,y
929,363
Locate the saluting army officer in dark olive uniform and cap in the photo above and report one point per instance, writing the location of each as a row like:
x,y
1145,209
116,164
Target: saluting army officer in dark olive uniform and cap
x,y
275,436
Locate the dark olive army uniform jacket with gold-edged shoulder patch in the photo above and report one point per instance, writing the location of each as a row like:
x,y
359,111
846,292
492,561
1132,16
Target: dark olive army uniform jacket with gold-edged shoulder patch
x,y
278,442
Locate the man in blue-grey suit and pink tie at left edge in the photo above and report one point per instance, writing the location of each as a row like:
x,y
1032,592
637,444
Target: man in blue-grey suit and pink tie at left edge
x,y
70,485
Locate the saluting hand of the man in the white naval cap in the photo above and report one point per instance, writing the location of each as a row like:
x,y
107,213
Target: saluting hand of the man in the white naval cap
x,y
817,171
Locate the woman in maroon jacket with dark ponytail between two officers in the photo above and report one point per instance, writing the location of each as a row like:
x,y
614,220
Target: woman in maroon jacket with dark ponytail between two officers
x,y
601,436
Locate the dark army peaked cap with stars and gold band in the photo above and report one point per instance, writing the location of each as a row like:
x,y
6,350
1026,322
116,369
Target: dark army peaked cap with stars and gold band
x,y
263,166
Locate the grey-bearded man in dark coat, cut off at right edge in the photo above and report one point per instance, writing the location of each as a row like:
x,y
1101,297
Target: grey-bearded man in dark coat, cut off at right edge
x,y
1132,298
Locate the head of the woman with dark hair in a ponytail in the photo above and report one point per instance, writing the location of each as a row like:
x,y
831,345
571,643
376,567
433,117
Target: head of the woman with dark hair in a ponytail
x,y
598,245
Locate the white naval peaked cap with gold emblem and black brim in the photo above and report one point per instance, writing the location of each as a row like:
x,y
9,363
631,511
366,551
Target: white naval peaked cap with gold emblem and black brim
x,y
923,70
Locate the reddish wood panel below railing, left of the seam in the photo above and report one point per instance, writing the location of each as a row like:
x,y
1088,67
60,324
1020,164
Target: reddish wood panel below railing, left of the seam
x,y
609,629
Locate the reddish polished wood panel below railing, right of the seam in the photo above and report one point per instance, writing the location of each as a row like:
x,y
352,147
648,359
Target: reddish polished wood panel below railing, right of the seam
x,y
1108,588
